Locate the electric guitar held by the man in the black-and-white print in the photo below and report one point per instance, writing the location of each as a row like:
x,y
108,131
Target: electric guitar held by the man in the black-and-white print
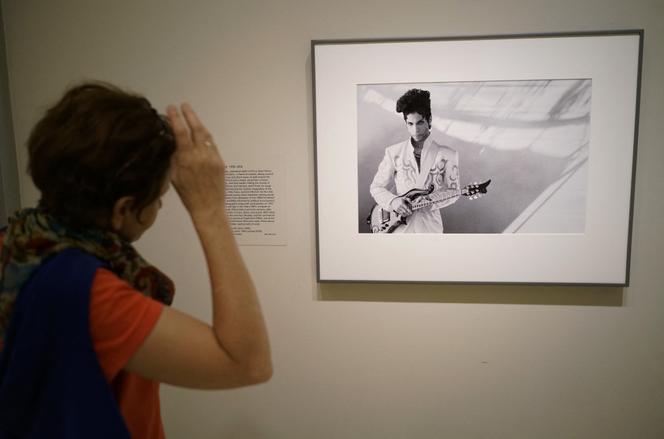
x,y
385,221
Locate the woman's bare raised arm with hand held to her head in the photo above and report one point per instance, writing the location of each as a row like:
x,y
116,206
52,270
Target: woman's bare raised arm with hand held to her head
x,y
181,350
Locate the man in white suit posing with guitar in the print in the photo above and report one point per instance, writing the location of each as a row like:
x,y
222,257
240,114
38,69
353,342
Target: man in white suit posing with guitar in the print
x,y
416,162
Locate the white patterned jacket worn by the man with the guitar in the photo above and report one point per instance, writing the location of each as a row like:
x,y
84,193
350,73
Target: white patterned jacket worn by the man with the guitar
x,y
398,173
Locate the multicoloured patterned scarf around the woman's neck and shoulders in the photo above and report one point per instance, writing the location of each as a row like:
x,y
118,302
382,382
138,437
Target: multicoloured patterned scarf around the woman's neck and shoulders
x,y
33,236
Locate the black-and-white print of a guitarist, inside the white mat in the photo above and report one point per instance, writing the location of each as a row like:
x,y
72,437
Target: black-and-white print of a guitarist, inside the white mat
x,y
473,157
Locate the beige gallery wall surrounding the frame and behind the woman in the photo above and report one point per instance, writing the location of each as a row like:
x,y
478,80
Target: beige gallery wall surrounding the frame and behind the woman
x,y
368,361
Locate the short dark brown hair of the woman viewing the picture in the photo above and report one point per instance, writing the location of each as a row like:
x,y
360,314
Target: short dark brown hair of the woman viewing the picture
x,y
97,144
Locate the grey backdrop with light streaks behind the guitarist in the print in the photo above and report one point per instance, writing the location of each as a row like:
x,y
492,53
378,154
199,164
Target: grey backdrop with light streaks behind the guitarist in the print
x,y
531,138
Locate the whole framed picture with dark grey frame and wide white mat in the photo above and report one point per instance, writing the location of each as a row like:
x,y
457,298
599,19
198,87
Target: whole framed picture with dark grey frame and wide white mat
x,y
487,159
